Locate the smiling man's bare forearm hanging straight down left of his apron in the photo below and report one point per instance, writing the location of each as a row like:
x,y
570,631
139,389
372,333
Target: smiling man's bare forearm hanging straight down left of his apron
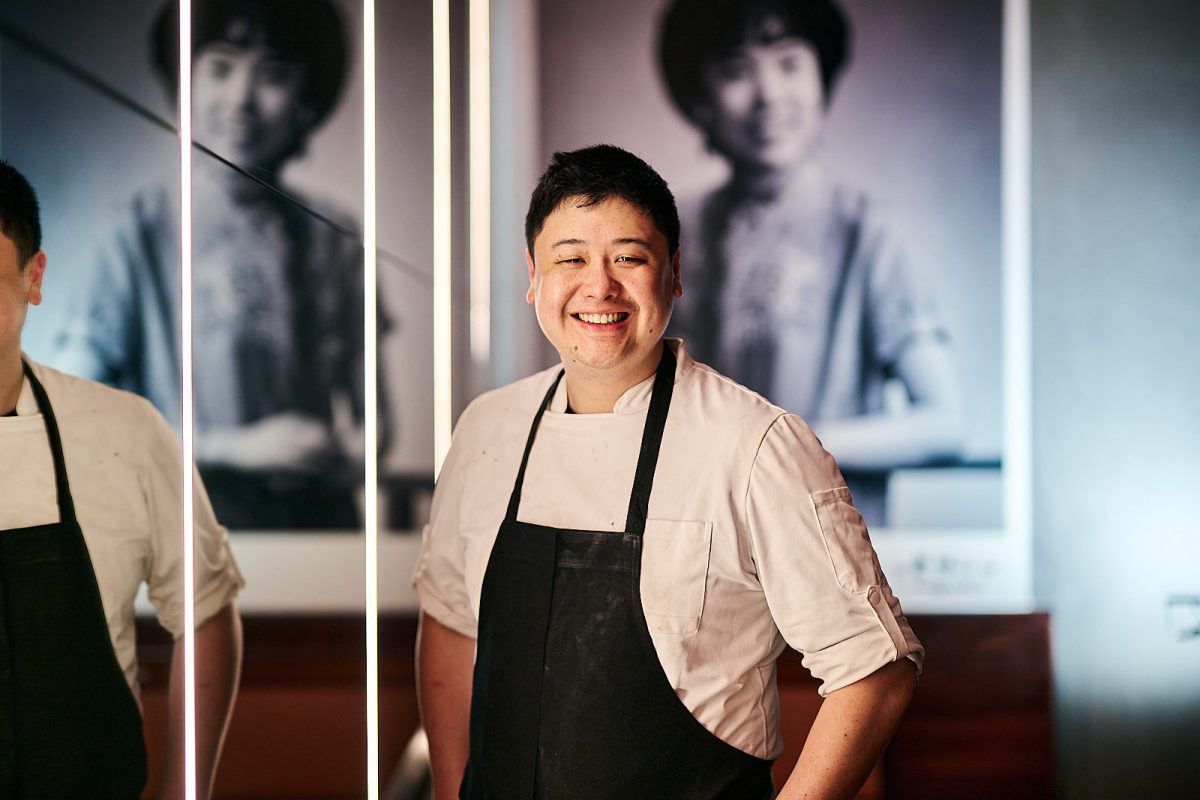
x,y
445,665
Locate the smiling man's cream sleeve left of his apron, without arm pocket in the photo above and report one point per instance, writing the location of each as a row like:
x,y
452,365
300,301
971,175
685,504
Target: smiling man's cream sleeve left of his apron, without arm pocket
x,y
440,573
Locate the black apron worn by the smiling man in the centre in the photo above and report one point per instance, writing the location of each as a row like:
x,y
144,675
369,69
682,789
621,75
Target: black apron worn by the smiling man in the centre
x,y
569,697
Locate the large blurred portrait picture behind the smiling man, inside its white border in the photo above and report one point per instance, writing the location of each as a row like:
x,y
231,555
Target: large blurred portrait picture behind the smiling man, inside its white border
x,y
838,169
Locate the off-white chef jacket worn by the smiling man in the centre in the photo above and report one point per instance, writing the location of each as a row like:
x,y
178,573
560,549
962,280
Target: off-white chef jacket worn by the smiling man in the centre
x,y
752,542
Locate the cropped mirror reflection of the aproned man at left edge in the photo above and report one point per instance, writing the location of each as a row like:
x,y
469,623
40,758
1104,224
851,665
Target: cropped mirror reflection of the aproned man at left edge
x,y
91,509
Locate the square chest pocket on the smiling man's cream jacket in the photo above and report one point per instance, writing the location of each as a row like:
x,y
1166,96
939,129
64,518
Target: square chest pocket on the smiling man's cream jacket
x,y
675,575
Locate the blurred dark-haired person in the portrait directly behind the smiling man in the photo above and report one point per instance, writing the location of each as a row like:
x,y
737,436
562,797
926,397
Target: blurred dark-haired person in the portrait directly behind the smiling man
x,y
797,288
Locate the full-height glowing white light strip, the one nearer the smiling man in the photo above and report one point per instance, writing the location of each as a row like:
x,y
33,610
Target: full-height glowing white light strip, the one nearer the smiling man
x,y
371,398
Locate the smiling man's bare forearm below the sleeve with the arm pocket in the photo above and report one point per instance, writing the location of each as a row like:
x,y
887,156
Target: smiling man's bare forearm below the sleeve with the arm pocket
x,y
851,731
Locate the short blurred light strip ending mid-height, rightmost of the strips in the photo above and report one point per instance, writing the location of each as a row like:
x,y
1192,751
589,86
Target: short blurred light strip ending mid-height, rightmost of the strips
x,y
481,127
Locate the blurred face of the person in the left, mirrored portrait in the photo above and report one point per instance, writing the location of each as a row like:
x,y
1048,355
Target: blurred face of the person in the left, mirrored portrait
x,y
248,104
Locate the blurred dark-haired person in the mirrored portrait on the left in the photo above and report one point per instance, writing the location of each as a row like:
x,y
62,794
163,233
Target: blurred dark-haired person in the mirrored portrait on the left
x,y
277,293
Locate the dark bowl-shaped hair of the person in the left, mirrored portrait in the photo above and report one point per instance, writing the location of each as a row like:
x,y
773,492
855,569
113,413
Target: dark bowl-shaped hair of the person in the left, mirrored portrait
x,y
309,33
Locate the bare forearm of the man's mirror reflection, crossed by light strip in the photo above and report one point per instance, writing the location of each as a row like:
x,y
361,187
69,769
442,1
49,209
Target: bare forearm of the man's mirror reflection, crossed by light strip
x,y
218,669
